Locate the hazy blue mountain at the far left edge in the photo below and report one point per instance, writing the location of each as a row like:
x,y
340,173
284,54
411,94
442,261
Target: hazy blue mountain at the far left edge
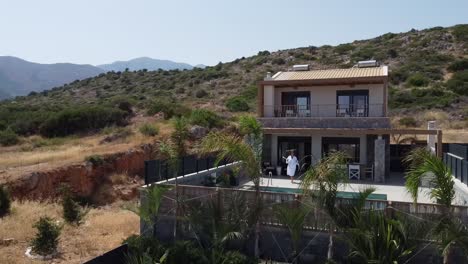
x,y
19,77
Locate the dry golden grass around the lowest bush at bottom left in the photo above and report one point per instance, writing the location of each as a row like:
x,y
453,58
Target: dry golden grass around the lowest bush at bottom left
x,y
104,229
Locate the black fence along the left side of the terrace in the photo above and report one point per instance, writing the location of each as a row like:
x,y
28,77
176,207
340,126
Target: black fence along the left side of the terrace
x,y
158,170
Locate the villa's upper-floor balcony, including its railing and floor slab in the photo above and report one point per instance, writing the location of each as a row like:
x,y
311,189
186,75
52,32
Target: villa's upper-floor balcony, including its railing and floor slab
x,y
325,116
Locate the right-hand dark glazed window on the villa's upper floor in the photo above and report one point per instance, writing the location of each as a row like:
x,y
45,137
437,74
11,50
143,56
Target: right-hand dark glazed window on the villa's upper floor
x,y
352,103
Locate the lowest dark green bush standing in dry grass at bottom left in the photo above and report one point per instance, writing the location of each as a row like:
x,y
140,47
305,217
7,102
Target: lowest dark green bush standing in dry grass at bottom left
x,y
47,237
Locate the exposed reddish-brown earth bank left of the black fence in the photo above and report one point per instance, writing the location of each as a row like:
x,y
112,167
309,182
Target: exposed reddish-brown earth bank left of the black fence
x,y
84,179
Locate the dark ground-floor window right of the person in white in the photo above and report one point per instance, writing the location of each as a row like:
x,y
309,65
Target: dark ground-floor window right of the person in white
x,y
350,146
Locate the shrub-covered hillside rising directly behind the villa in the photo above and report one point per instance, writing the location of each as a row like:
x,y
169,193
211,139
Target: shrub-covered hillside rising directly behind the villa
x,y
428,70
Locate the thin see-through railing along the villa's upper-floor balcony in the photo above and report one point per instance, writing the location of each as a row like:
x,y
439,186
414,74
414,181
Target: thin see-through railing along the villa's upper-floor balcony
x,y
324,110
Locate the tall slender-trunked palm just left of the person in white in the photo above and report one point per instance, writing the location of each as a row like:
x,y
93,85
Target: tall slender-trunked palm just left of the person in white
x,y
247,149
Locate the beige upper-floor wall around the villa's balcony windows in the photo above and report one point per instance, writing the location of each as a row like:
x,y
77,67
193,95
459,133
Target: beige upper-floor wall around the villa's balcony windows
x,y
326,95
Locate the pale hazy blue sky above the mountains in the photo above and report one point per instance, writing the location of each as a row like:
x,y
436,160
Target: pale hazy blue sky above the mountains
x,y
198,31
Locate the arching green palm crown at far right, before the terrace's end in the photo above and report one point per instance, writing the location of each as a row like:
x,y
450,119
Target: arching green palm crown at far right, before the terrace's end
x,y
423,163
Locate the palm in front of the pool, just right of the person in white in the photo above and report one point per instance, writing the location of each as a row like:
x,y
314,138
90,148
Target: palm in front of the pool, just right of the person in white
x,y
324,178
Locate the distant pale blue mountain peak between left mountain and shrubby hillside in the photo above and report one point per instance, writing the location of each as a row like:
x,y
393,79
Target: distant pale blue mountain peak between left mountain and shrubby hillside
x,y
145,63
